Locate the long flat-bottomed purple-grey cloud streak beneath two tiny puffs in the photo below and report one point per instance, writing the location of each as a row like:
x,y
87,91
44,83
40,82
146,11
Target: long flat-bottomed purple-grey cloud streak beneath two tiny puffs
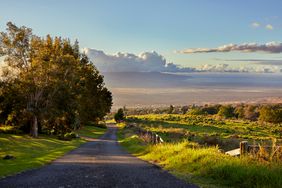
x,y
270,47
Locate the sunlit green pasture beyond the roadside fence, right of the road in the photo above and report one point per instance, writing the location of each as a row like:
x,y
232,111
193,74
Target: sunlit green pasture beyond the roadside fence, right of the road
x,y
208,129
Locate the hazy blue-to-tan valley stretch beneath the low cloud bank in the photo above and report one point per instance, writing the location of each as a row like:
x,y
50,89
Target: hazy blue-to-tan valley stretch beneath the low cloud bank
x,y
139,89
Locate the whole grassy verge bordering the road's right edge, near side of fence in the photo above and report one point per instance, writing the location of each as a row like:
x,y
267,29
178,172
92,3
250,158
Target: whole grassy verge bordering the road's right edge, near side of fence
x,y
206,166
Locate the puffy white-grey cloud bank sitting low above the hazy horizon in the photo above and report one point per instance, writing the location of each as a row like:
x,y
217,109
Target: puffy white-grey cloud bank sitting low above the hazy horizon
x,y
154,62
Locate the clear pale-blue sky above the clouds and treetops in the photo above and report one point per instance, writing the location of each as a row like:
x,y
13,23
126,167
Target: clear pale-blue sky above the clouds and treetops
x,y
155,25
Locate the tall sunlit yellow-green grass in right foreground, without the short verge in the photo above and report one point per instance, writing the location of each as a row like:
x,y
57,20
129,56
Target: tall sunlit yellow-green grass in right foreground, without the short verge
x,y
209,163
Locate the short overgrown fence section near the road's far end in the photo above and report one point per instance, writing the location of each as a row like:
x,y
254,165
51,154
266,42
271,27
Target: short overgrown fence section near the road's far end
x,y
147,136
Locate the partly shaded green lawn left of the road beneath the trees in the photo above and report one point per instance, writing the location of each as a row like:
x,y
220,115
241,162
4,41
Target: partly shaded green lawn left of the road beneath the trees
x,y
35,152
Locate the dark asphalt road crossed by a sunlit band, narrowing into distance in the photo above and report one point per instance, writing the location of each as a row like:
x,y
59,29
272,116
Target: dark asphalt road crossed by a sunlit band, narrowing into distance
x,y
98,163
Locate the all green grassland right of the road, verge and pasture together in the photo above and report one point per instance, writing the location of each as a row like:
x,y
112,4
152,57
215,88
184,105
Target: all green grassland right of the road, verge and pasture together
x,y
193,149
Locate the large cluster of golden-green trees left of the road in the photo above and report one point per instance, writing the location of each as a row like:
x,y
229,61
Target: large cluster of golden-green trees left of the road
x,y
48,86
